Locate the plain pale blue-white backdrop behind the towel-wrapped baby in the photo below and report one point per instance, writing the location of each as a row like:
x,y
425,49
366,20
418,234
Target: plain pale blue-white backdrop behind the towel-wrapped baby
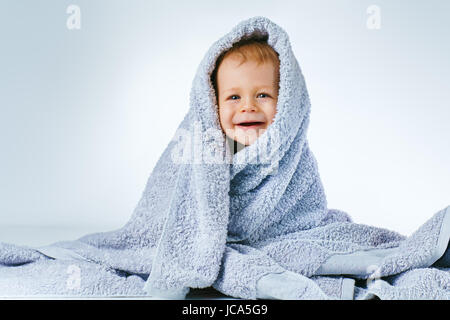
x,y
85,114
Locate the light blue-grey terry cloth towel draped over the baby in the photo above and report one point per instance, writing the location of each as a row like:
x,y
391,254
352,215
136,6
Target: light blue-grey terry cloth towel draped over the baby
x,y
253,224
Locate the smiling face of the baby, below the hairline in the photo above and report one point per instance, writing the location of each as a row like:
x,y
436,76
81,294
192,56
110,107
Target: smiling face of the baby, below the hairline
x,y
247,98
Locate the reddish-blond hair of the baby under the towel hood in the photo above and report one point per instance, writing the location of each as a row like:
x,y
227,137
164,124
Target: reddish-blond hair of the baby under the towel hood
x,y
252,49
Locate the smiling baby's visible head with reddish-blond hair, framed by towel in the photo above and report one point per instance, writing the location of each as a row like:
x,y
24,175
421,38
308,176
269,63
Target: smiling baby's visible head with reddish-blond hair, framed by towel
x,y
246,82
